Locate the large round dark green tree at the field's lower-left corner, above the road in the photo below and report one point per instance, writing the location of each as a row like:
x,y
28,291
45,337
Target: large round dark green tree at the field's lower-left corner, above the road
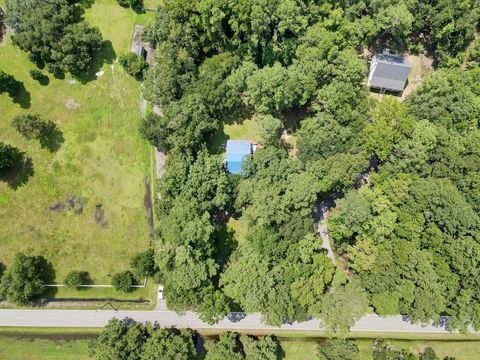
x,y
23,282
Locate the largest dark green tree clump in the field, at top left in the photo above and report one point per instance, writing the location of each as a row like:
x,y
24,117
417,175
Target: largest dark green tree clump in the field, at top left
x,y
53,34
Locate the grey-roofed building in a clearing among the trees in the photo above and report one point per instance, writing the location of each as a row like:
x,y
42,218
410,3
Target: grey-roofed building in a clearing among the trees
x,y
389,72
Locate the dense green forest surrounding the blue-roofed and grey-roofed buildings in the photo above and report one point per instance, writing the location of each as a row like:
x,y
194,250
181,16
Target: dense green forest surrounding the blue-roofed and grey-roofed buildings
x,y
405,174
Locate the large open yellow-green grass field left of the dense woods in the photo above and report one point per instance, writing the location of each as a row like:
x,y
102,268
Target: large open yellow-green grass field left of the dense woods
x,y
102,161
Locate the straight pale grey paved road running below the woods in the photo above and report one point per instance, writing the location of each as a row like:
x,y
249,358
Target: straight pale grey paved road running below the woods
x,y
236,321
